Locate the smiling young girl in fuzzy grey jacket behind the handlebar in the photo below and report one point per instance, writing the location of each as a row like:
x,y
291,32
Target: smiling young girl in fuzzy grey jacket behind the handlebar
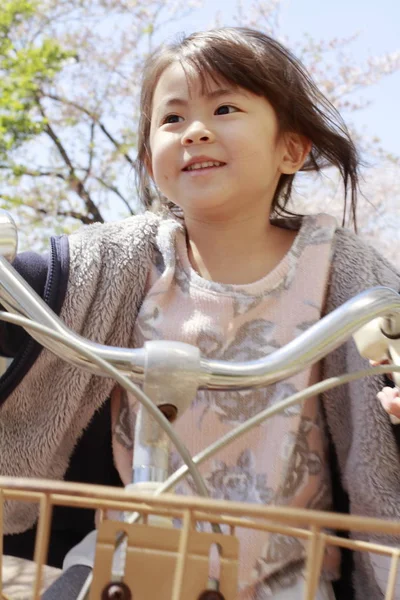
x,y
228,117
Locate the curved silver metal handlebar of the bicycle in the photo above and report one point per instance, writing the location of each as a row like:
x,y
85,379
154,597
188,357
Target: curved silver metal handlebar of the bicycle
x,y
309,347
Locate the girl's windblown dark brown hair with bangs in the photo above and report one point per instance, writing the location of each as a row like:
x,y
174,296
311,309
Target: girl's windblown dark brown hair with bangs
x,y
254,61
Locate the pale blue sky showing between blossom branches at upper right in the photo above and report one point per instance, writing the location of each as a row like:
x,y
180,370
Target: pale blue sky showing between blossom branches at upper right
x,y
378,25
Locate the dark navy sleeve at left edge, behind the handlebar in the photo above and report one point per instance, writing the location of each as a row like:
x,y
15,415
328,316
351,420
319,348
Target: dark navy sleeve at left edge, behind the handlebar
x,y
34,269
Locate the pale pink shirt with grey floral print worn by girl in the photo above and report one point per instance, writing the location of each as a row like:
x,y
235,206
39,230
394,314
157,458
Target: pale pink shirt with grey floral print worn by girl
x,y
283,461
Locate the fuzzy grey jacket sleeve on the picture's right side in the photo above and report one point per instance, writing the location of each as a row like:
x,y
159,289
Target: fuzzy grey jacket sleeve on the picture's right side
x,y
364,444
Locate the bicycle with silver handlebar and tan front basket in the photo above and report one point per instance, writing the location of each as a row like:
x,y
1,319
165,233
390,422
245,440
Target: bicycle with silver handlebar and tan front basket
x,y
181,557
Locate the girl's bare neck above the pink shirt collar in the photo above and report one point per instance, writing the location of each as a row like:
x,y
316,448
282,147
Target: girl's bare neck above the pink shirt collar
x,y
237,251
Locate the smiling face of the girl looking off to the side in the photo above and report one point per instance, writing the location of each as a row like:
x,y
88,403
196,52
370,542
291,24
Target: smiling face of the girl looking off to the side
x,y
217,153
